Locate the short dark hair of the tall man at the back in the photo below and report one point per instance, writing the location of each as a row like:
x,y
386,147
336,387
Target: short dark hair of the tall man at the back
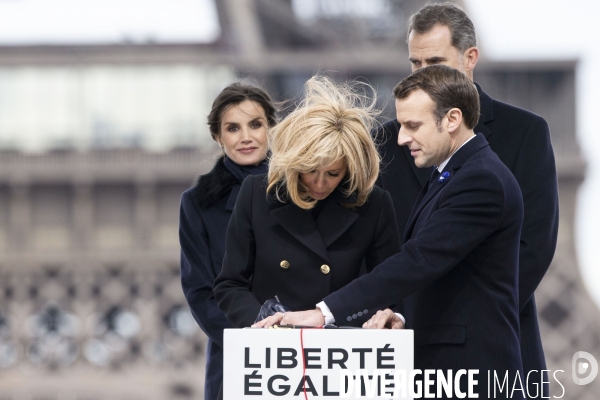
x,y
447,14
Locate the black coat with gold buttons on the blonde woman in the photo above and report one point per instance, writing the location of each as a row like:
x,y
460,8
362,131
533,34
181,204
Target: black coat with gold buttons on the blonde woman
x,y
322,256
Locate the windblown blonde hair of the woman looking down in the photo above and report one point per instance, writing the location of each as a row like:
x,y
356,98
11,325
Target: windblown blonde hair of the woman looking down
x,y
332,122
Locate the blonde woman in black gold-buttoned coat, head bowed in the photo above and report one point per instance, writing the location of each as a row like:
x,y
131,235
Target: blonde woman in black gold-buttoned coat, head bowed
x,y
305,229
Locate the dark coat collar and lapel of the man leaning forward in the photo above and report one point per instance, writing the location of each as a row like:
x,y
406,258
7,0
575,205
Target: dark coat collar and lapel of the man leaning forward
x,y
429,191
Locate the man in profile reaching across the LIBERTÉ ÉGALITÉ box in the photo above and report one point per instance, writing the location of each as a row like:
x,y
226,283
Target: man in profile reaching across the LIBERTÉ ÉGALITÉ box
x,y
461,245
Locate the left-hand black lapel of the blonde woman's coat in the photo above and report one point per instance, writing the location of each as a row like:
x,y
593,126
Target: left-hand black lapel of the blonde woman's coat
x,y
301,225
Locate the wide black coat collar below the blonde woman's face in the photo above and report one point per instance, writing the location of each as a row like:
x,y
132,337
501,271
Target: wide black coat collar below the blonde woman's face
x,y
332,222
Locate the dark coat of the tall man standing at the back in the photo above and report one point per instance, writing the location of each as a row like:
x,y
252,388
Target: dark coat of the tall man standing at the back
x,y
521,140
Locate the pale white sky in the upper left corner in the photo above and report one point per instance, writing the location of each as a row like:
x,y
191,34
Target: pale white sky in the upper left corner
x,y
107,21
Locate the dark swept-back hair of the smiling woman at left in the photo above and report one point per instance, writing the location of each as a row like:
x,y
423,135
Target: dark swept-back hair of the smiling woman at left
x,y
237,93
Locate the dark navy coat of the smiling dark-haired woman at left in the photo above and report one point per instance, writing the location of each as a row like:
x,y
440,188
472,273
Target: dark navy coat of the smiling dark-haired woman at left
x,y
204,215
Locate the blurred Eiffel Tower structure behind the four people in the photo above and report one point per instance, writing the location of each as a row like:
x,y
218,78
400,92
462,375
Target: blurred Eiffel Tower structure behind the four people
x,y
90,302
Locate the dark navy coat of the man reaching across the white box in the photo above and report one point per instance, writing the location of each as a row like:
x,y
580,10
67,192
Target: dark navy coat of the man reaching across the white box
x,y
459,265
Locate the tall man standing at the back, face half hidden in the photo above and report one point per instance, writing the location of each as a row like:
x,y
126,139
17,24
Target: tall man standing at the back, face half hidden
x,y
444,34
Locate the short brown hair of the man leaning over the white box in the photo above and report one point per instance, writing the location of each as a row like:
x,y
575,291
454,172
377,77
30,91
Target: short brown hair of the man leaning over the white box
x,y
447,87
